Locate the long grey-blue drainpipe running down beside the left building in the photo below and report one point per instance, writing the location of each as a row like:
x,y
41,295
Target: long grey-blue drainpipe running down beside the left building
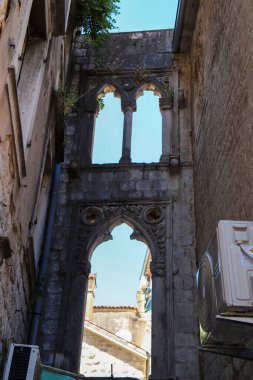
x,y
37,308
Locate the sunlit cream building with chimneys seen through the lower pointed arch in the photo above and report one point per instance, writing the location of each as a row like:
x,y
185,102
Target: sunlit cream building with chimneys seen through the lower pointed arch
x,y
116,339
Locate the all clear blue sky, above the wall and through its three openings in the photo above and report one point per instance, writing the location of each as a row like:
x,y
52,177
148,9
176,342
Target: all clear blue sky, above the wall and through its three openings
x,y
118,263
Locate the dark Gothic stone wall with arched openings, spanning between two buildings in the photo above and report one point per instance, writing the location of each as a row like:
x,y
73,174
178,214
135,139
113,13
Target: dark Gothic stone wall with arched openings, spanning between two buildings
x,y
125,191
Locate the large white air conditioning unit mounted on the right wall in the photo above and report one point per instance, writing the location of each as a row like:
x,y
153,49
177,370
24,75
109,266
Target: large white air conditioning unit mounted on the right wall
x,y
225,285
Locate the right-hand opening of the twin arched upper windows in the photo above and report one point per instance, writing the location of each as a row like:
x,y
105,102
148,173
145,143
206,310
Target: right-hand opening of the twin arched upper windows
x,y
147,129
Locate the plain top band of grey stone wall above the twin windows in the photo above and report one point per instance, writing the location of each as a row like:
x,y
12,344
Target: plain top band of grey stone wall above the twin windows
x,y
129,51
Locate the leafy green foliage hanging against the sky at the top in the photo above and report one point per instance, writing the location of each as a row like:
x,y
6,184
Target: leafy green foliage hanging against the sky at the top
x,y
96,17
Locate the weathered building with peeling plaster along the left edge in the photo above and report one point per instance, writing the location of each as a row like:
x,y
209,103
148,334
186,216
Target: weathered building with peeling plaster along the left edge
x,y
34,56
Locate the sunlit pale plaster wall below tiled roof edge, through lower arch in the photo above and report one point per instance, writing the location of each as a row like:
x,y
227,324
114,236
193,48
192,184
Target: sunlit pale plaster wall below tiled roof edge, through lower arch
x,y
98,353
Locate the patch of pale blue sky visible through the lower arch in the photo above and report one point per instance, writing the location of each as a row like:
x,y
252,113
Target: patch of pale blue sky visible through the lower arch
x,y
118,265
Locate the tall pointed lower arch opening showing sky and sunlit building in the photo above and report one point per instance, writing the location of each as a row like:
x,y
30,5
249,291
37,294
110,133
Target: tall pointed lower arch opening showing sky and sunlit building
x,y
117,328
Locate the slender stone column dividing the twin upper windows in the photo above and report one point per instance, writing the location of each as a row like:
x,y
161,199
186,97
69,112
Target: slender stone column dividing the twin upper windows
x,y
128,108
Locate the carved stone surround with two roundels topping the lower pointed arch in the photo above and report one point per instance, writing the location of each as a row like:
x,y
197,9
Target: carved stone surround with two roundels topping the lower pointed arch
x,y
151,218
